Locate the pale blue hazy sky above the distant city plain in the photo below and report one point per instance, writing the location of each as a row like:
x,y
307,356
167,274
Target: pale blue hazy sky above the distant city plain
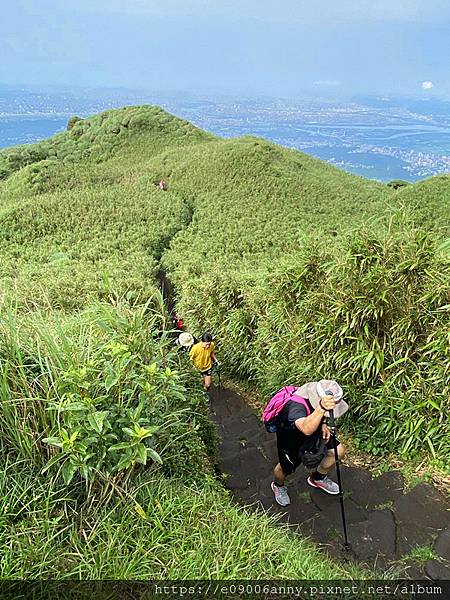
x,y
248,47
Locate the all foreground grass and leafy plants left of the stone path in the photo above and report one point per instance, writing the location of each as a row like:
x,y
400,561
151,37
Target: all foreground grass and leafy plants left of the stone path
x,y
107,461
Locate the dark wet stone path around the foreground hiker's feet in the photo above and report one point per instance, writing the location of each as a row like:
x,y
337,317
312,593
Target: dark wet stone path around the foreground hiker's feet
x,y
384,522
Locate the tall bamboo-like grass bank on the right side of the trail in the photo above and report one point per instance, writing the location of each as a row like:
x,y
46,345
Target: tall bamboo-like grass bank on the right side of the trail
x,y
370,311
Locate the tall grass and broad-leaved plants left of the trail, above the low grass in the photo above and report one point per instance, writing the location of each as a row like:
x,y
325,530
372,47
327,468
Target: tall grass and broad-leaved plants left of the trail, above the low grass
x,y
99,395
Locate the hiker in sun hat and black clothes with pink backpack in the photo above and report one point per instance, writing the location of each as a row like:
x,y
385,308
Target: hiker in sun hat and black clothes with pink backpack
x,y
303,435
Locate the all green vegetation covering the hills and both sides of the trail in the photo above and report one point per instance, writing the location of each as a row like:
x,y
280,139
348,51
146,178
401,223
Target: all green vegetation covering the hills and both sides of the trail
x,y
299,269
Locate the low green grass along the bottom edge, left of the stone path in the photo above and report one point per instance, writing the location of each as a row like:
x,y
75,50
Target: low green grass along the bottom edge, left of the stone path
x,y
181,533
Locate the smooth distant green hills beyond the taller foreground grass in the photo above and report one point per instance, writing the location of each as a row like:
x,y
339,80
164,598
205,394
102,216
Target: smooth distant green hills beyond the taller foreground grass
x,y
87,205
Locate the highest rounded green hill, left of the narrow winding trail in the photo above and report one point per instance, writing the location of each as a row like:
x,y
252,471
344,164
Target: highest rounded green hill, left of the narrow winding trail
x,y
79,224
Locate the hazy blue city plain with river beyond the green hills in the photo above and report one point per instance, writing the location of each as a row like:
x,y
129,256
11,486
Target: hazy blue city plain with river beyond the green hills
x,y
379,142
